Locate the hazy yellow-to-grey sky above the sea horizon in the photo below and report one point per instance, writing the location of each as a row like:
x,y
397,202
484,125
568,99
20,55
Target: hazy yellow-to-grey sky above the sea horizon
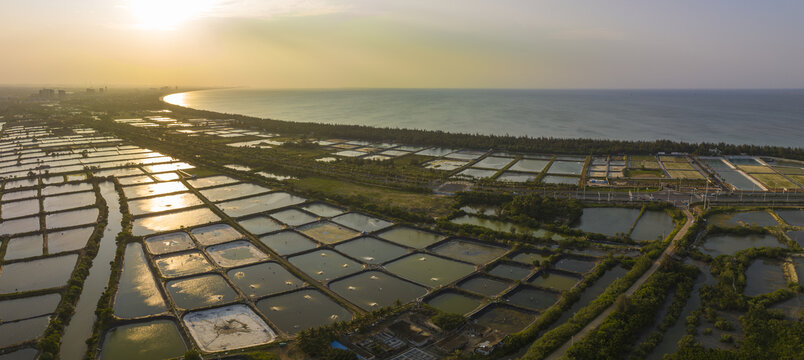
x,y
405,43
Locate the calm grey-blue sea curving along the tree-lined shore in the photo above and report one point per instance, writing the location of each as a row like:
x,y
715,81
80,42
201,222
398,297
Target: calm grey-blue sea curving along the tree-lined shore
x,y
760,117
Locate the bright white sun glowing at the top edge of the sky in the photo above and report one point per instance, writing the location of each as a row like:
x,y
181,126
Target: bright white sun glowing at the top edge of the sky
x,y
167,14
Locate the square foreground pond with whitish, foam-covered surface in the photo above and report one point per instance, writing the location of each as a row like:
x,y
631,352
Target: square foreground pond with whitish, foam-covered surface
x,y
227,328
